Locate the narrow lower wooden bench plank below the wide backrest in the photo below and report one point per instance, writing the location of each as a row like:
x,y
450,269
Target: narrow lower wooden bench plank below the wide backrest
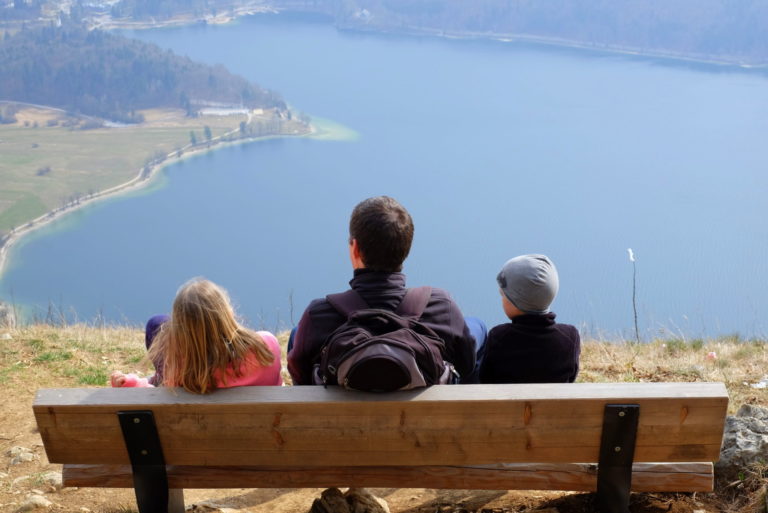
x,y
654,477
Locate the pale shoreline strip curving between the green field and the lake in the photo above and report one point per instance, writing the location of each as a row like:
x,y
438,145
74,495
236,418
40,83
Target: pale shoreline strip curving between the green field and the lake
x,y
145,177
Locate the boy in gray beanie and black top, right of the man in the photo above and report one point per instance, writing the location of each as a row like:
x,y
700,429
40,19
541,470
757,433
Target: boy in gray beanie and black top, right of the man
x,y
533,348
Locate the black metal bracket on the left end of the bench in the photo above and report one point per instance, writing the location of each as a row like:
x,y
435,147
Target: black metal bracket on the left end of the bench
x,y
150,480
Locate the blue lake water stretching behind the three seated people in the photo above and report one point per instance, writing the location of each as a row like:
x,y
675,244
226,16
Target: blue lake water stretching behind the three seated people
x,y
496,149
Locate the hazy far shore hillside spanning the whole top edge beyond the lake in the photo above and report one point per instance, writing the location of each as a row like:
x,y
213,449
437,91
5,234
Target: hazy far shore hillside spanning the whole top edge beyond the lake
x,y
719,30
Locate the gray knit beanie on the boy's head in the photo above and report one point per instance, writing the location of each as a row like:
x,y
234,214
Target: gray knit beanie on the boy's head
x,y
530,282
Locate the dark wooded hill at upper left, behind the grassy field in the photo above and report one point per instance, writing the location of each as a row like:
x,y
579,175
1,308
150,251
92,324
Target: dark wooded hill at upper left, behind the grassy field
x,y
109,76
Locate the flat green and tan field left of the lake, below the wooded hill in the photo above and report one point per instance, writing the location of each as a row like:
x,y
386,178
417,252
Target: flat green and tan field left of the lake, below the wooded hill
x,y
43,167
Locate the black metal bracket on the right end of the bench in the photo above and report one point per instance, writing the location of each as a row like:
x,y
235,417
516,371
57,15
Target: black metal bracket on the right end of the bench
x,y
617,452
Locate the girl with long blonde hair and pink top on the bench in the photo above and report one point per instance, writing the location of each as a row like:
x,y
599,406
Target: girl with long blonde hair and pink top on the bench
x,y
202,347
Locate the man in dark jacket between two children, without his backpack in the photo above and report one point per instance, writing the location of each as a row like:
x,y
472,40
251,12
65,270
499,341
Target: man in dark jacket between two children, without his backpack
x,y
380,235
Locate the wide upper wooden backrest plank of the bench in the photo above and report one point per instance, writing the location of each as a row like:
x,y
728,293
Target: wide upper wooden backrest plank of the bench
x,y
441,425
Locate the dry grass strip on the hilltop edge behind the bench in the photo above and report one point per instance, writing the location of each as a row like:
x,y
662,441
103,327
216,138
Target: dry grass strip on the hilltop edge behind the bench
x,y
79,355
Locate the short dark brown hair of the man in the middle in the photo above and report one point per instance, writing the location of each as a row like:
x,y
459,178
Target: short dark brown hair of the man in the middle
x,y
383,229
